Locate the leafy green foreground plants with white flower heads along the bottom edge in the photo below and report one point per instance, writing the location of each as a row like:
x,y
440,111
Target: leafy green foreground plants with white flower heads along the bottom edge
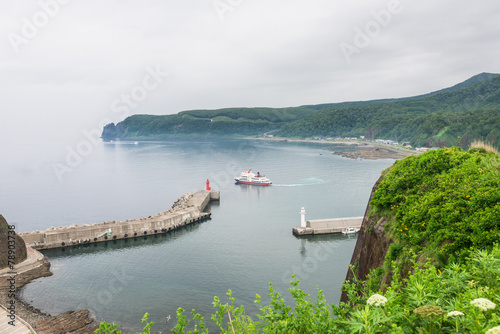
x,y
462,298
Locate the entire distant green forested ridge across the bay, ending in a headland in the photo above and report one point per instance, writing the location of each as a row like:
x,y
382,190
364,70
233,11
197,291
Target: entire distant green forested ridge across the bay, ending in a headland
x,y
451,116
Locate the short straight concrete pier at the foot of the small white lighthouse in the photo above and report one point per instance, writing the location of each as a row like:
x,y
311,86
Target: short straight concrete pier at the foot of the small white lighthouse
x,y
327,226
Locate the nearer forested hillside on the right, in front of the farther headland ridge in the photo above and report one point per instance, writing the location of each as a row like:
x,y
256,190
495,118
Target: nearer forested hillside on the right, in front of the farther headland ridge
x,y
447,118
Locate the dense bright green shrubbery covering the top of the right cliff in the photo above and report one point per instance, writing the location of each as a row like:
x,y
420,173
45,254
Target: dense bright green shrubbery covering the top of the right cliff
x,y
444,203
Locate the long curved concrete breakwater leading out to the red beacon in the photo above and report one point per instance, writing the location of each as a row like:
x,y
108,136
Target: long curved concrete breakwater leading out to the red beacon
x,y
186,210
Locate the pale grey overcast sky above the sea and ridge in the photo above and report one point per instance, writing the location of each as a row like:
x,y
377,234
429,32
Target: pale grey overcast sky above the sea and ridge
x,y
68,66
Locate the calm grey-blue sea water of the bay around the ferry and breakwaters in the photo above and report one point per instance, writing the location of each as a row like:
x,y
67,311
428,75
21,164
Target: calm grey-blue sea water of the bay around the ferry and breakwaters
x,y
247,244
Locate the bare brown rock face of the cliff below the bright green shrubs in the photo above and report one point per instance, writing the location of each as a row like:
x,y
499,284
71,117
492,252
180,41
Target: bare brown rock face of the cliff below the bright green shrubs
x,y
371,247
